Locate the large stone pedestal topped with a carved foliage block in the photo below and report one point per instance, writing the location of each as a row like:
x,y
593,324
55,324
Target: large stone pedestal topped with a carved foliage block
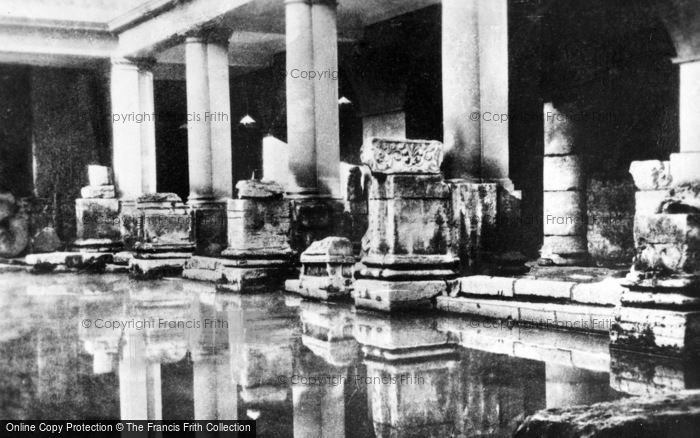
x,y
408,256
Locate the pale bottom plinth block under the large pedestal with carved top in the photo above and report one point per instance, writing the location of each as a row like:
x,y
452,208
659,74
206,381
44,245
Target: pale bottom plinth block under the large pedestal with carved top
x,y
389,296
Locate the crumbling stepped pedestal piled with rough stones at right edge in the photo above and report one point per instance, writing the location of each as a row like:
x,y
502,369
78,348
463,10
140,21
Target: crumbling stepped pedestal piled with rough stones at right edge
x,y
658,312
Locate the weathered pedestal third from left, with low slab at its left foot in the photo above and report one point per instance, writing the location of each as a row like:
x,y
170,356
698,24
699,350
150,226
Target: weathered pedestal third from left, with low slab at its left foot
x,y
258,256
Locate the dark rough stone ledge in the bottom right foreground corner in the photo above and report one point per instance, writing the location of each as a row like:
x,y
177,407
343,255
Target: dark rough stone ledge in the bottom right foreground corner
x,y
669,415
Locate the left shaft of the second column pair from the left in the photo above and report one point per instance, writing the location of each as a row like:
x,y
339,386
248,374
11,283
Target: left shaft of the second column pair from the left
x,y
198,127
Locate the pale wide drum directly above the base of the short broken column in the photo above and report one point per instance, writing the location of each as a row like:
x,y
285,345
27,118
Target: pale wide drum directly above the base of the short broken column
x,y
564,213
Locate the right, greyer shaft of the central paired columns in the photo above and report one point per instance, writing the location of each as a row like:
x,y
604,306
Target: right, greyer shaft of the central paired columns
x,y
325,55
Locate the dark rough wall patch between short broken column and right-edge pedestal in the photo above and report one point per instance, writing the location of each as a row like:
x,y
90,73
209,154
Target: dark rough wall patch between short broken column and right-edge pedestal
x,y
611,211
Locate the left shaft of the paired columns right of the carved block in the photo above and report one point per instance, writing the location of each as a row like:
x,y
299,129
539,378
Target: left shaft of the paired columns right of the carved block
x,y
461,88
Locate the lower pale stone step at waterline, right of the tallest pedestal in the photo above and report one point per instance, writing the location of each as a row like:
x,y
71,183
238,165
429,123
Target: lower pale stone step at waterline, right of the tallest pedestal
x,y
542,315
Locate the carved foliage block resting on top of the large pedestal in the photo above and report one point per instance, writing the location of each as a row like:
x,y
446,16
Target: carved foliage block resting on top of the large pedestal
x,y
390,156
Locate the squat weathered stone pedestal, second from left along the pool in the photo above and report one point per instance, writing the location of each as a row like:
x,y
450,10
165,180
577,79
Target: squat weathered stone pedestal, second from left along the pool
x,y
163,237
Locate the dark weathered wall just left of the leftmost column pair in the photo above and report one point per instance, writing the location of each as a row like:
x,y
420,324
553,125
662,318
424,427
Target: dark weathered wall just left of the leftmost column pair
x,y
69,129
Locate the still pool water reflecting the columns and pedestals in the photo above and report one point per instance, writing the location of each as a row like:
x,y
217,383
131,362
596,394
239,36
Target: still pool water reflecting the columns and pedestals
x,y
105,347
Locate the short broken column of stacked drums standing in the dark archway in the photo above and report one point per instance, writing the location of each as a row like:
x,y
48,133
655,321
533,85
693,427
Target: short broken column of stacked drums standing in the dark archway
x,y
564,184
